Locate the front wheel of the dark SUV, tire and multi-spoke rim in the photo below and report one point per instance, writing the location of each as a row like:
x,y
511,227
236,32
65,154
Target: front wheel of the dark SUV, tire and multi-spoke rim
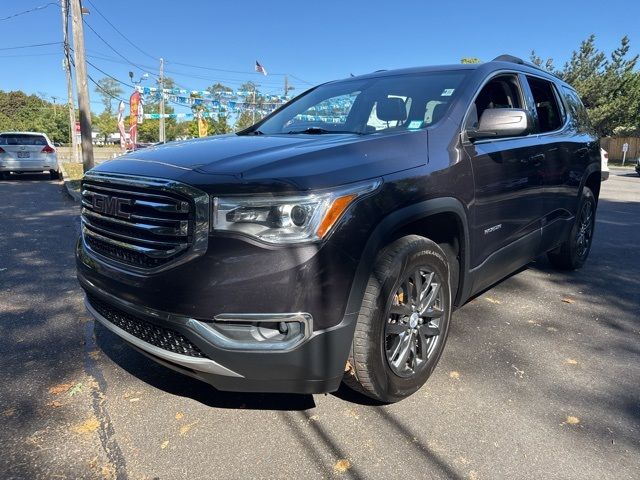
x,y
395,346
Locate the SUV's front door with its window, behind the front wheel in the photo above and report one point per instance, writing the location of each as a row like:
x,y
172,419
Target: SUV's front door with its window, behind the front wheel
x,y
508,186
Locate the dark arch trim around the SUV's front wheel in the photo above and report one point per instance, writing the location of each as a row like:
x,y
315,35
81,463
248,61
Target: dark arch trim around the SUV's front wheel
x,y
416,219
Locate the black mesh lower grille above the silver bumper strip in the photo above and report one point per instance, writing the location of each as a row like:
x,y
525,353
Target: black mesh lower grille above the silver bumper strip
x,y
161,337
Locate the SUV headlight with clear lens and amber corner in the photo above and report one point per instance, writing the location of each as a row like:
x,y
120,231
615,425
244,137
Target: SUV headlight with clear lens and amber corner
x,y
287,219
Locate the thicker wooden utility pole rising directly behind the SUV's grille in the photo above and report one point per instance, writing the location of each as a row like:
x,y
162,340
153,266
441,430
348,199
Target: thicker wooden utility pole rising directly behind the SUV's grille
x,y
81,85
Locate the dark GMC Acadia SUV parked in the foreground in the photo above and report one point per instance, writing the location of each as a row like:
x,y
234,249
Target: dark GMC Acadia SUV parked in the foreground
x,y
333,239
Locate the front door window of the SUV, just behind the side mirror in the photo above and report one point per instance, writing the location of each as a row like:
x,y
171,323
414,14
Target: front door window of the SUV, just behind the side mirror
x,y
502,91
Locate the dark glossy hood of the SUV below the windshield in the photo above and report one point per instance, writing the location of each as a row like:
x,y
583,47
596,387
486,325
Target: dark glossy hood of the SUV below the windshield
x,y
303,161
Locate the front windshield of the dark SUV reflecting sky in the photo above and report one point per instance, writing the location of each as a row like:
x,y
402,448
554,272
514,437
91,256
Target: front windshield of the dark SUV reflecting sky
x,y
363,106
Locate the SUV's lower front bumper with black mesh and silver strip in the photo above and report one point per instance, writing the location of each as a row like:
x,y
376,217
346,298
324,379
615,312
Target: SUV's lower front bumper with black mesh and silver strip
x,y
314,365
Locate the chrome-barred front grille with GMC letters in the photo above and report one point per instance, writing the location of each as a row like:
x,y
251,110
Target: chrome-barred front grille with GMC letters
x,y
141,223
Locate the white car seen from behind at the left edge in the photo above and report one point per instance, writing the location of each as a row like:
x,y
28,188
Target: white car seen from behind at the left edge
x,y
22,152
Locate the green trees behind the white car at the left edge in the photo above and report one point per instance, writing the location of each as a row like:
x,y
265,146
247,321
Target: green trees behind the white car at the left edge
x,y
21,112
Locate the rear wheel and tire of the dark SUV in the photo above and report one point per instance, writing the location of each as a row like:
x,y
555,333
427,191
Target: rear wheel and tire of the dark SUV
x,y
573,252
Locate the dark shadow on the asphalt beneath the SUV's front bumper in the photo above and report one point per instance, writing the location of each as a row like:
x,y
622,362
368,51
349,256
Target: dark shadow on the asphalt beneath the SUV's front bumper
x,y
176,383
